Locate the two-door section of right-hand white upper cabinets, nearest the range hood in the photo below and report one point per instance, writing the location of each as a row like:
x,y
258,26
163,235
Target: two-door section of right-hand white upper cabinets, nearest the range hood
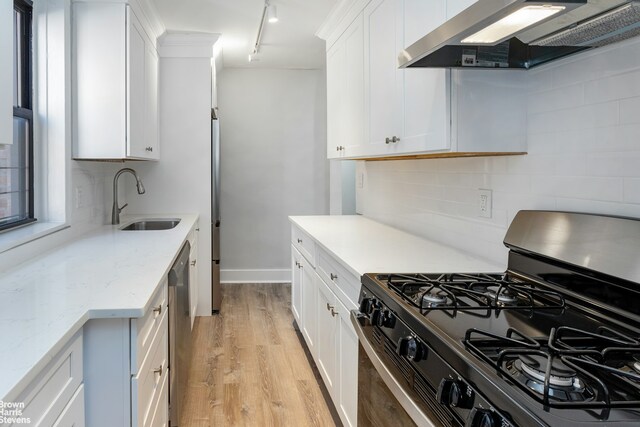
x,y
408,110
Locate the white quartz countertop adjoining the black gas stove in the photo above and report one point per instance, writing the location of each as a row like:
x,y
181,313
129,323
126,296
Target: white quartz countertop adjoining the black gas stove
x,y
367,246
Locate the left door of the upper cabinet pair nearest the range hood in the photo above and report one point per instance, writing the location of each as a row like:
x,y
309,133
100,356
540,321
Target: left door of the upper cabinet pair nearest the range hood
x,y
383,79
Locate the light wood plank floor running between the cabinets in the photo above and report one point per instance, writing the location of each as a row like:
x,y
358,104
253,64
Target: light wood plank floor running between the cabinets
x,y
249,367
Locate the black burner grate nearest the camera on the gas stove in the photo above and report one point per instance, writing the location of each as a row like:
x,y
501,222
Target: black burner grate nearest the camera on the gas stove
x,y
571,368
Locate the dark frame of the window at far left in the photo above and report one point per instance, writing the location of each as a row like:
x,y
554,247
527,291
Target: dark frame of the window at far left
x,y
25,109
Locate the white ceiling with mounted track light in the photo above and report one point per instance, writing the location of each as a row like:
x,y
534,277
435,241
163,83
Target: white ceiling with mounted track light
x,y
289,43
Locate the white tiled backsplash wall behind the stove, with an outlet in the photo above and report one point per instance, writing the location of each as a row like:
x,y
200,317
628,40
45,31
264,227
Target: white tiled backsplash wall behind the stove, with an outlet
x,y
584,155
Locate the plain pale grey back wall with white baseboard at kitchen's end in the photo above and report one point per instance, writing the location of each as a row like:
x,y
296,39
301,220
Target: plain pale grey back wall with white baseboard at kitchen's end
x,y
273,155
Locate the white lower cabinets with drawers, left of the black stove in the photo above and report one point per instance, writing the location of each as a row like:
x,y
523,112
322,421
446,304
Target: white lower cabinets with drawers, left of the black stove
x,y
321,300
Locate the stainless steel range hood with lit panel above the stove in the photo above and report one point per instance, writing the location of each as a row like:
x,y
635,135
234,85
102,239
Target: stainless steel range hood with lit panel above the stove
x,y
502,33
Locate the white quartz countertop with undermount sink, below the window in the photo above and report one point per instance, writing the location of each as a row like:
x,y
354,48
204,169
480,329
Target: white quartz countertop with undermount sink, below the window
x,y
107,273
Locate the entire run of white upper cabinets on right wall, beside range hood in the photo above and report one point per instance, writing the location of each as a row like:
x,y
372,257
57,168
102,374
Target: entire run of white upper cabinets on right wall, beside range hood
x,y
377,110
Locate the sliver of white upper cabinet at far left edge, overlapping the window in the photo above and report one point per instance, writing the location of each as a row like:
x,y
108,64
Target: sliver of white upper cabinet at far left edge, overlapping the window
x,y
6,72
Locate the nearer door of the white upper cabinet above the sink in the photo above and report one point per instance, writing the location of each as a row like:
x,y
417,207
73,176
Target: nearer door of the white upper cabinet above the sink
x,y
136,102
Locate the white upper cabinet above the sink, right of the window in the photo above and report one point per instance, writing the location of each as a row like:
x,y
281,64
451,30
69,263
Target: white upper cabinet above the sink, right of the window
x,y
115,84
